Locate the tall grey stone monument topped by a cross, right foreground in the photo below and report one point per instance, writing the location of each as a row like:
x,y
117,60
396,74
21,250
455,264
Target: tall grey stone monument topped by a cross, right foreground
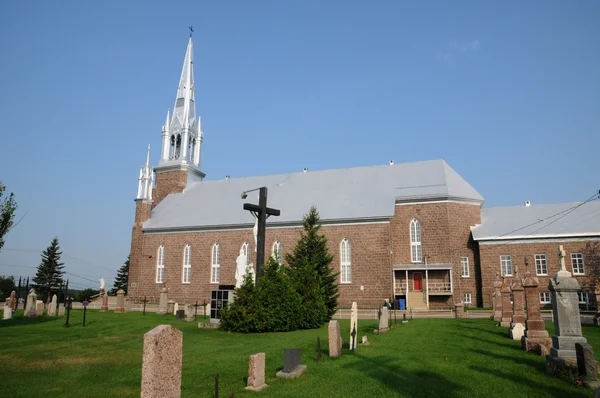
x,y
567,321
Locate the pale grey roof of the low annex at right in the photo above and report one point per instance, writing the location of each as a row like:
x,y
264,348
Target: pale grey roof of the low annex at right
x,y
539,221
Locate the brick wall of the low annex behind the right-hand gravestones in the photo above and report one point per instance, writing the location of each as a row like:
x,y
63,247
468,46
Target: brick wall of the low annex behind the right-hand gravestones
x,y
526,251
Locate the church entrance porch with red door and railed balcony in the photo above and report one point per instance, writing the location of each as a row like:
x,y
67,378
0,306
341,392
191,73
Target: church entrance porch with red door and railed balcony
x,y
416,284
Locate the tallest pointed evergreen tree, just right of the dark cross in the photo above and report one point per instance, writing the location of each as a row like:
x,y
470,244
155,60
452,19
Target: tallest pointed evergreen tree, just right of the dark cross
x,y
311,251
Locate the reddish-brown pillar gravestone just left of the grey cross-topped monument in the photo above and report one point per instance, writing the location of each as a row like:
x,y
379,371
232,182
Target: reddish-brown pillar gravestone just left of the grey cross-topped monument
x,y
536,336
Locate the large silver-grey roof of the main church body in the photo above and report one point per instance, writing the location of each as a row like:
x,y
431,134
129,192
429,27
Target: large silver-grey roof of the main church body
x,y
341,195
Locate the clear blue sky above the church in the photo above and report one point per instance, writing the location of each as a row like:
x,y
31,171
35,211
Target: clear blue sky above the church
x,y
506,92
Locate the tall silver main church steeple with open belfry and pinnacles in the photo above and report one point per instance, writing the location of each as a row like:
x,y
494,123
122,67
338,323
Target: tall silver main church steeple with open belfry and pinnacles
x,y
181,132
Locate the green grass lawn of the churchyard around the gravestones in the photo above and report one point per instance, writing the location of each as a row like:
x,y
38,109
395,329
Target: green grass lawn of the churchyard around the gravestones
x,y
426,357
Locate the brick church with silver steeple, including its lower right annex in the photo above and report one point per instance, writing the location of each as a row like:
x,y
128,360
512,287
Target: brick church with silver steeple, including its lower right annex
x,y
412,233
